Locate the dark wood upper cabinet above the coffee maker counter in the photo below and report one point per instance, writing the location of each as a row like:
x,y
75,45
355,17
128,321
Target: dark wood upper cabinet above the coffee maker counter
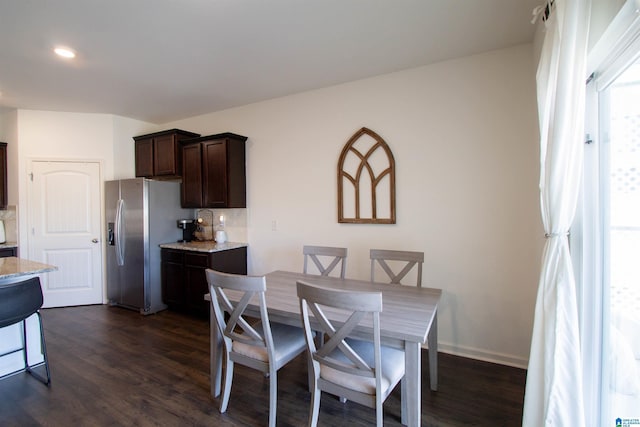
x,y
214,172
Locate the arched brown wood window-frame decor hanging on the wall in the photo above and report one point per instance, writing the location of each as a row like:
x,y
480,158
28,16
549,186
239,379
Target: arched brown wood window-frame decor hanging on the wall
x,y
366,152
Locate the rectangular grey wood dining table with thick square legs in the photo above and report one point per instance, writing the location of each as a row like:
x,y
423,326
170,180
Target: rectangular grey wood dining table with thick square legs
x,y
409,319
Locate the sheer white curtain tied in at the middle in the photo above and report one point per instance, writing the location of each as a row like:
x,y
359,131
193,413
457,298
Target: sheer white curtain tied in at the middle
x,y
554,393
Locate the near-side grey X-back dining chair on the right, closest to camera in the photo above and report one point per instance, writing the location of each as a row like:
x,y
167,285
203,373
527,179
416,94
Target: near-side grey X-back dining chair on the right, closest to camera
x,y
361,370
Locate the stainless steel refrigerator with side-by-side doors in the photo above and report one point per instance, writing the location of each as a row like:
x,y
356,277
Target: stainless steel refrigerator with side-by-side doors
x,y
141,214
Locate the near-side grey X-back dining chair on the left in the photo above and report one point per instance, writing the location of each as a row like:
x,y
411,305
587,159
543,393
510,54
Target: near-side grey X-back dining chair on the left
x,y
263,346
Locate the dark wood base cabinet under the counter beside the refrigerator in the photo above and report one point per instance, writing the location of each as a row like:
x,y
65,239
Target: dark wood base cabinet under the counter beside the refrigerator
x,y
184,282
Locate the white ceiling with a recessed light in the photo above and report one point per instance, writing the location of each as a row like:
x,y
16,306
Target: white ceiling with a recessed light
x,y
163,60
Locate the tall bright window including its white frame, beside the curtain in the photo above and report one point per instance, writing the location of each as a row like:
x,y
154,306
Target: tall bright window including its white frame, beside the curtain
x,y
608,231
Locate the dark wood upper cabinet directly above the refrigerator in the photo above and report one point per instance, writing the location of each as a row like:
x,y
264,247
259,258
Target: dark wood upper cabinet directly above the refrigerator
x,y
158,155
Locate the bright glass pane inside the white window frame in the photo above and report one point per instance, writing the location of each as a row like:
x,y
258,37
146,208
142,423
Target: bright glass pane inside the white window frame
x,y
620,166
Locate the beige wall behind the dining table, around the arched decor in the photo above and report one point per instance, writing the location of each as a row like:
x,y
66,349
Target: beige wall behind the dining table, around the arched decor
x,y
464,136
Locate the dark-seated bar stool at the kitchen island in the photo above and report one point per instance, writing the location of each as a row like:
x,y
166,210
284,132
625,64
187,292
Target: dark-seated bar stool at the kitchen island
x,y
19,301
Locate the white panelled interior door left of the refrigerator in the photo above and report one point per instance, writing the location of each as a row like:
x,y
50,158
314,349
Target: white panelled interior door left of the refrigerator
x,y
64,230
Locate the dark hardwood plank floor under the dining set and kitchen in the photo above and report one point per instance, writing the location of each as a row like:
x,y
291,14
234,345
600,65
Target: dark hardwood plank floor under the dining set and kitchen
x,y
114,367
